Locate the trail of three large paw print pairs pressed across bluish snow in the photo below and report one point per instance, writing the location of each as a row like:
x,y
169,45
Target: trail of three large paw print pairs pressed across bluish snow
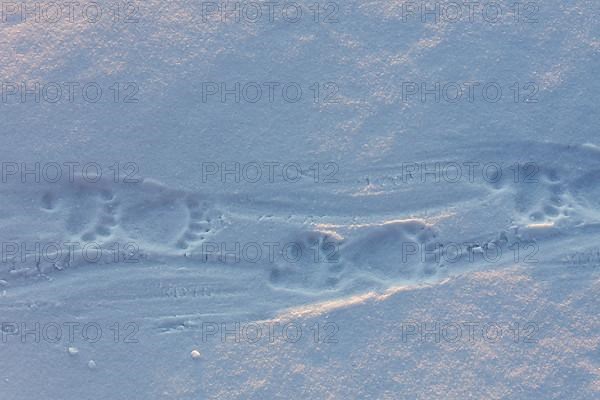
x,y
158,217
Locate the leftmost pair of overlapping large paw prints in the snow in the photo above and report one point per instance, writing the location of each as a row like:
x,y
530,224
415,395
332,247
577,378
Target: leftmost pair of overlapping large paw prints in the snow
x,y
148,213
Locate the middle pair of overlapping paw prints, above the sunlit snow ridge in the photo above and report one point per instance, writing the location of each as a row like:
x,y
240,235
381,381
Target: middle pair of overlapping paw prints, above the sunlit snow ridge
x,y
374,254
